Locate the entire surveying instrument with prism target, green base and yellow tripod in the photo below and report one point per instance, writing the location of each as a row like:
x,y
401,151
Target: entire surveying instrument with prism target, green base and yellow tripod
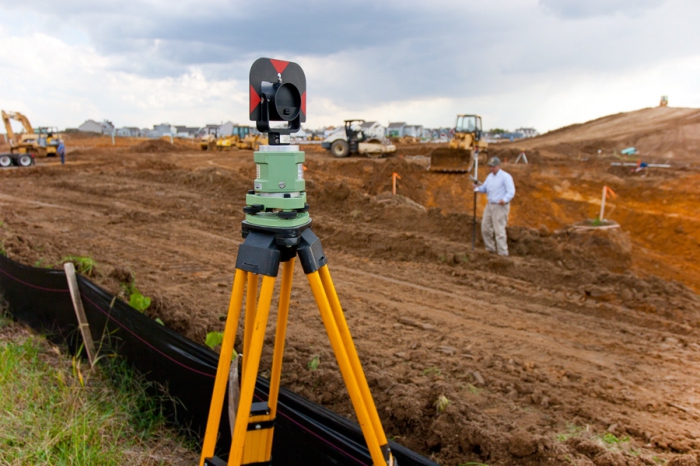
x,y
276,229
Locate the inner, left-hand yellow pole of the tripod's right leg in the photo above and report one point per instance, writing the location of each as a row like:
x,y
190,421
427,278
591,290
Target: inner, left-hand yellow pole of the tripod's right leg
x,y
346,370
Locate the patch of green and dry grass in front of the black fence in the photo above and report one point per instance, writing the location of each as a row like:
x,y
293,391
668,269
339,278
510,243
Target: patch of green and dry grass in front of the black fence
x,y
56,411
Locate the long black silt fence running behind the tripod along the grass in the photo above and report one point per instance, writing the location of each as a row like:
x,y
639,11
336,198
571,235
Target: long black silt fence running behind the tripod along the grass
x,y
305,433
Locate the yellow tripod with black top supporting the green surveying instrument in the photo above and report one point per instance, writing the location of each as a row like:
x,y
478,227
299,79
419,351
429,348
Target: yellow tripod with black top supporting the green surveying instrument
x,y
261,254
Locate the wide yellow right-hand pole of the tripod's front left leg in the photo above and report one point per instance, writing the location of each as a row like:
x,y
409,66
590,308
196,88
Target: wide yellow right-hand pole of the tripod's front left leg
x,y
251,371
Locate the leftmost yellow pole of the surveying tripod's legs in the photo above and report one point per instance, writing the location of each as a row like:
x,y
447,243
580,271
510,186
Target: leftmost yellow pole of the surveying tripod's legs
x,y
222,370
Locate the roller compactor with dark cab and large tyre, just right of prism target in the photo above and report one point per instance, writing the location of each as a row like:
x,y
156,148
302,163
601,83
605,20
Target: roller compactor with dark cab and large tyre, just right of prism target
x,y
355,138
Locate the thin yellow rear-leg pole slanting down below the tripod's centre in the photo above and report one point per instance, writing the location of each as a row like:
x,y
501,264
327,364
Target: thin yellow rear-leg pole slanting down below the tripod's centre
x,y
275,373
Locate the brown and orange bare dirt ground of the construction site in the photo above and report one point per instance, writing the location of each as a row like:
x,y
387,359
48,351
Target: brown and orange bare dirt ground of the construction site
x,y
581,347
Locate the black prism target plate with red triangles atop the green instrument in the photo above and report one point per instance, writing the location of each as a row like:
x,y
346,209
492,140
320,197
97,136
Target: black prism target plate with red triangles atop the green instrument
x,y
277,93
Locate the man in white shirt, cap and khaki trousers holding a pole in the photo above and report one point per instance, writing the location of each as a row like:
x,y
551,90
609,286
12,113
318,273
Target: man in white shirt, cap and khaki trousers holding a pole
x,y
500,190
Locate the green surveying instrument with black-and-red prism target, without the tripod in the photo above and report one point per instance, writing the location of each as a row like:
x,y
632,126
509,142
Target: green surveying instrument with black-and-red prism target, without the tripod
x,y
278,200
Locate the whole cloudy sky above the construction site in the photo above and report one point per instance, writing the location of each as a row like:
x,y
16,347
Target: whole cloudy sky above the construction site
x,y
538,63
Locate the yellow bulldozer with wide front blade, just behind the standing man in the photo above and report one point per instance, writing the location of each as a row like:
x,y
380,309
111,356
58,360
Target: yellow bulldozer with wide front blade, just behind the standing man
x,y
467,145
